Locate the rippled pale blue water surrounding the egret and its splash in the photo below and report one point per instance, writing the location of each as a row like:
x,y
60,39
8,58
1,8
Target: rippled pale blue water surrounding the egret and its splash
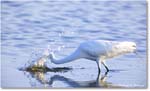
x,y
30,25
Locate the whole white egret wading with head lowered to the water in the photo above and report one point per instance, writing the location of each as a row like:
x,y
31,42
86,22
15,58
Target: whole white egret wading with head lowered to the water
x,y
98,51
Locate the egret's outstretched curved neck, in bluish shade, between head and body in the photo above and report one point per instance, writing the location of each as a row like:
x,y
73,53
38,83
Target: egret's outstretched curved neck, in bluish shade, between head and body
x,y
73,56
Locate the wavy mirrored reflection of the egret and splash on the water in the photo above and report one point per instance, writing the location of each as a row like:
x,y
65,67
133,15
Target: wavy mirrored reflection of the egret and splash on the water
x,y
99,81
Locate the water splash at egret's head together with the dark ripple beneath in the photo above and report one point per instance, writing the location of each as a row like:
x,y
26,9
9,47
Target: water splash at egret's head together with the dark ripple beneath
x,y
38,62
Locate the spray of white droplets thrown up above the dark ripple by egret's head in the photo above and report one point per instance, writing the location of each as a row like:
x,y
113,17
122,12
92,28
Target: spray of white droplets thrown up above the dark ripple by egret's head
x,y
39,56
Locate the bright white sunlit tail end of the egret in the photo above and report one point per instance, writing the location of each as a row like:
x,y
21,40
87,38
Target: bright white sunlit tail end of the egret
x,y
127,47
